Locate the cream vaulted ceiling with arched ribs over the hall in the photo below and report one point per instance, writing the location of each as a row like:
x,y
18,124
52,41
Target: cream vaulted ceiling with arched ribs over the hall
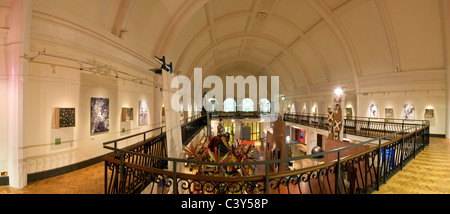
x,y
310,44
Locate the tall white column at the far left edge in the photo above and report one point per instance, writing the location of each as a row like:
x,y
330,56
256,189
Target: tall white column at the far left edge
x,y
17,69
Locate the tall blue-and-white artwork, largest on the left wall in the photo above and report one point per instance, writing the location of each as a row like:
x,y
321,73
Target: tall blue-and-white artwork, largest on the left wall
x,y
99,115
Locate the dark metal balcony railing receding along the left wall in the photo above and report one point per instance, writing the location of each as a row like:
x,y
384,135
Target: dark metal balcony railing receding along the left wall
x,y
154,146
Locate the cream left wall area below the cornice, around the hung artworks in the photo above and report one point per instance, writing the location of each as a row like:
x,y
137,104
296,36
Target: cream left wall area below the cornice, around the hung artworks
x,y
49,88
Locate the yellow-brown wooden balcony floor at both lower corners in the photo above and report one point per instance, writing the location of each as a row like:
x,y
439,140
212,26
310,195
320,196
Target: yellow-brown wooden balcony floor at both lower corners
x,y
429,173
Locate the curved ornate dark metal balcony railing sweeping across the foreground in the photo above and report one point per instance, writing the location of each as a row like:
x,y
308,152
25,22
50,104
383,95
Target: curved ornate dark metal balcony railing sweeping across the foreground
x,y
131,170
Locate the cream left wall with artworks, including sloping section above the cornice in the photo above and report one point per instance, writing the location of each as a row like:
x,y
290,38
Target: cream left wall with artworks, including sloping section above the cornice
x,y
54,82
